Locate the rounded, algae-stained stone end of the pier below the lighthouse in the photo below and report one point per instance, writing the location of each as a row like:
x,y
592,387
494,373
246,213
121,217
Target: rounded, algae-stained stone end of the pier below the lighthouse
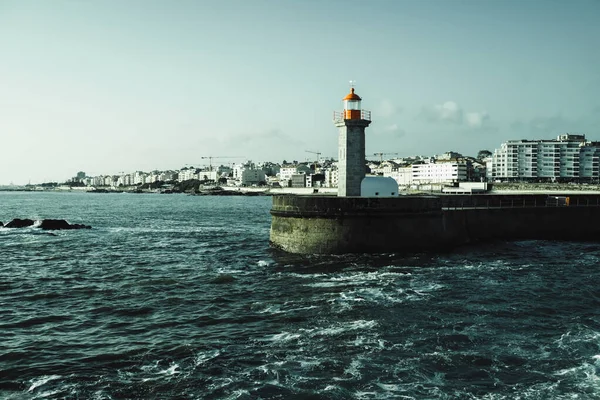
x,y
333,225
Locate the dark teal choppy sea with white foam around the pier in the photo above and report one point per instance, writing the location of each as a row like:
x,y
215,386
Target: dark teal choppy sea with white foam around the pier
x,y
171,296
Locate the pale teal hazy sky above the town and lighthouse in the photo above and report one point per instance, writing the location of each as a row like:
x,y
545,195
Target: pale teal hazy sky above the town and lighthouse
x,y
105,86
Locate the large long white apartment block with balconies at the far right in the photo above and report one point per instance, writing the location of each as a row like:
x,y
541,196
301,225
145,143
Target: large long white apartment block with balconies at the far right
x,y
544,159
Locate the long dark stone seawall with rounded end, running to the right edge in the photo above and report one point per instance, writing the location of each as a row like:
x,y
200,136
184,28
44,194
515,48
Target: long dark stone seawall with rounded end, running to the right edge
x,y
330,225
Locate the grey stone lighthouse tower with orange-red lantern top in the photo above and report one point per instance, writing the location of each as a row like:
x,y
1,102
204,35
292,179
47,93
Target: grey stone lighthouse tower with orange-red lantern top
x,y
351,123
